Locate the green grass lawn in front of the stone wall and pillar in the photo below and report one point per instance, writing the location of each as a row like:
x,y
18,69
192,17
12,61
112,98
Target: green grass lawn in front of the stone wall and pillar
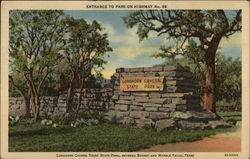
x,y
34,137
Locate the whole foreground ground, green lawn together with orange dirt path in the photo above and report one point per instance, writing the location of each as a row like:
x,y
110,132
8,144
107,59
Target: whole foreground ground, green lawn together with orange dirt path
x,y
29,136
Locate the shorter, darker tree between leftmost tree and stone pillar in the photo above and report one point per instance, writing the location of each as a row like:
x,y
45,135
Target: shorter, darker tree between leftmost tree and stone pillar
x,y
84,54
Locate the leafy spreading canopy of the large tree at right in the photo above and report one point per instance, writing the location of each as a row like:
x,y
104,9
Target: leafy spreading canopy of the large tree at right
x,y
182,25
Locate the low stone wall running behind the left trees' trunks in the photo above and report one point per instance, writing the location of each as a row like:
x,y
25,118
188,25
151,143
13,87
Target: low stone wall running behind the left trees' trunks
x,y
93,100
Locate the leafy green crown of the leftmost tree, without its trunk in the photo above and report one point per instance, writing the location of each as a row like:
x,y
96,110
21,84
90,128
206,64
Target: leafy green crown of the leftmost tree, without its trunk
x,y
35,40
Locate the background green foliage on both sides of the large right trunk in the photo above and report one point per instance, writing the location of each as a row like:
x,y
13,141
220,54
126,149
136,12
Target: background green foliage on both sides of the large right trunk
x,y
228,79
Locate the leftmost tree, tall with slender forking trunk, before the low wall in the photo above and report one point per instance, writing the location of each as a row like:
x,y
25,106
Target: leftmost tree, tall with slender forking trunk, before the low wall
x,y
36,40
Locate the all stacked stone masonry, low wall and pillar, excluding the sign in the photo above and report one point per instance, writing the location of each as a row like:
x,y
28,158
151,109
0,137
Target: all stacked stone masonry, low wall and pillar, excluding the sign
x,y
176,106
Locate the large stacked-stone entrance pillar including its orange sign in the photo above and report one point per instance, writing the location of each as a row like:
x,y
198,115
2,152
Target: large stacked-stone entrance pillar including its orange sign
x,y
158,97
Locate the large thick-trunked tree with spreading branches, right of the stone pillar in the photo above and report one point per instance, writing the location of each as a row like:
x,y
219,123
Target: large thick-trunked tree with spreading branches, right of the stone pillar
x,y
204,27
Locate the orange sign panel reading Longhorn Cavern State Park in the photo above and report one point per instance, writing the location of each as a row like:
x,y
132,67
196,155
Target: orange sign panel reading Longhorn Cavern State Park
x,y
141,83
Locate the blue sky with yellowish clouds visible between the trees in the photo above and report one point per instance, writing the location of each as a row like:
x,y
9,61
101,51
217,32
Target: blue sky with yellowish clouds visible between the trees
x,y
128,51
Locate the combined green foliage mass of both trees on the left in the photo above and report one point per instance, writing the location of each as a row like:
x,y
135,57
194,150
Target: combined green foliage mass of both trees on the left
x,y
51,52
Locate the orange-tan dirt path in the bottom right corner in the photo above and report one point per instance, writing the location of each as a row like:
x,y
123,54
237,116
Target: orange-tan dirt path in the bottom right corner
x,y
226,142
